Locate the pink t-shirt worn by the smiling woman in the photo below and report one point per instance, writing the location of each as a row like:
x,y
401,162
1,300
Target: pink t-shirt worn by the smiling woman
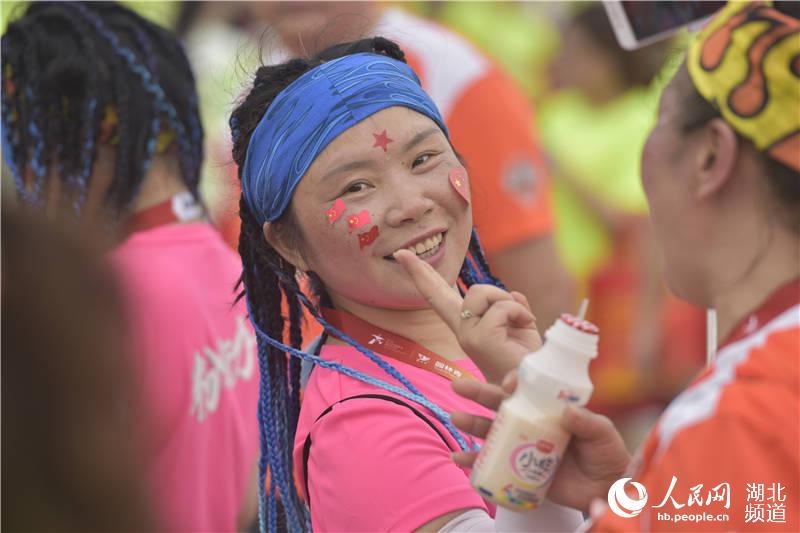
x,y
375,465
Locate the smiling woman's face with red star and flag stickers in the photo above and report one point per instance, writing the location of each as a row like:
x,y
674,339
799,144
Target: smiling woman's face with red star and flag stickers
x,y
404,192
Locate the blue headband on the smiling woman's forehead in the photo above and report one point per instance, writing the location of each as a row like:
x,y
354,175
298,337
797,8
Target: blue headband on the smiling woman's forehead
x,y
311,112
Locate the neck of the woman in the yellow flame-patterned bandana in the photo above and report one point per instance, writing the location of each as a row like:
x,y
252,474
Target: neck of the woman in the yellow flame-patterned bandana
x,y
759,277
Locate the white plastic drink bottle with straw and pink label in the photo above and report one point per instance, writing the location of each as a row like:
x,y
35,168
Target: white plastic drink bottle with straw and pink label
x,y
526,442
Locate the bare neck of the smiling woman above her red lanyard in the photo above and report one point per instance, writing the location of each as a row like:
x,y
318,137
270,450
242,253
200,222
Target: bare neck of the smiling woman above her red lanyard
x,y
422,326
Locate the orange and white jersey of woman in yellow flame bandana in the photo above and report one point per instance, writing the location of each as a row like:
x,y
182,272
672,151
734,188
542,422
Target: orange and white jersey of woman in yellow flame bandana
x,y
725,455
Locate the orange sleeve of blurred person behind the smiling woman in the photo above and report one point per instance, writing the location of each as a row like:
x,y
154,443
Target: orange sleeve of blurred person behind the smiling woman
x,y
492,126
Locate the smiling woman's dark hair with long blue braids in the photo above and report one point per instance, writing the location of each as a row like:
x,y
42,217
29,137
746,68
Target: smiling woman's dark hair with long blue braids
x,y
268,283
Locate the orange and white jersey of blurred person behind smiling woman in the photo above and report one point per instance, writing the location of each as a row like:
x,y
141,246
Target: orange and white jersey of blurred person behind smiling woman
x,y
491,126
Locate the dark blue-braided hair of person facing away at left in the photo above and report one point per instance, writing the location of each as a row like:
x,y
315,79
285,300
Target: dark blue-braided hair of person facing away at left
x,y
65,64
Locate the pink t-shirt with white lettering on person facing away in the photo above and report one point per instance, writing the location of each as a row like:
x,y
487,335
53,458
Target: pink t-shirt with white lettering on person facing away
x,y
196,372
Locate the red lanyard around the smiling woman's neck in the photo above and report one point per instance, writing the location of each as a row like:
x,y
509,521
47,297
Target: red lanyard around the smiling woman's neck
x,y
392,345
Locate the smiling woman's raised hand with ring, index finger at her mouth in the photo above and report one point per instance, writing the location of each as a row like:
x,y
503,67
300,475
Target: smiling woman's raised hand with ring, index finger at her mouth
x,y
494,327
